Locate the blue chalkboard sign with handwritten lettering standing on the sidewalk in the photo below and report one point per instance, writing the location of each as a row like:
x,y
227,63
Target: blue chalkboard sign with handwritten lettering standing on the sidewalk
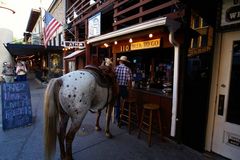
x,y
16,105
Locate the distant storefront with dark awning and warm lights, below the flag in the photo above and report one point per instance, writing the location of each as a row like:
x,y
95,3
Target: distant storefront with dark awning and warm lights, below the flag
x,y
44,62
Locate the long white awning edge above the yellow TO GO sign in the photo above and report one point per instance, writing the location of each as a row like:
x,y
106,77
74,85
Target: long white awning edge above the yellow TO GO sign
x,y
163,21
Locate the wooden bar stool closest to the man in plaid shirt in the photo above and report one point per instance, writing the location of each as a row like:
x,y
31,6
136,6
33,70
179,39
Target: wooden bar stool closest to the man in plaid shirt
x,y
129,113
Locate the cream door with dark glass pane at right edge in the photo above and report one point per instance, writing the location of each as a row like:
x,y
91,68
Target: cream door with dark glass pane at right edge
x,y
226,132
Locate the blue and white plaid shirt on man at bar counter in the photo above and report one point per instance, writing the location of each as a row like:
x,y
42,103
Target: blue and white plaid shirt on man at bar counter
x,y
124,74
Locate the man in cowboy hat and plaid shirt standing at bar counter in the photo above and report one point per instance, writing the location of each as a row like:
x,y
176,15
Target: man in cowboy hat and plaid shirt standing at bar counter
x,y
124,81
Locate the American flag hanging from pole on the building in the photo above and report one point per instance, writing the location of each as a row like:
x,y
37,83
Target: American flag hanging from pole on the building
x,y
51,25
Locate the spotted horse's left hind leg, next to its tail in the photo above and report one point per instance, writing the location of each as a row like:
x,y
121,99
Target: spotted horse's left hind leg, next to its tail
x,y
62,132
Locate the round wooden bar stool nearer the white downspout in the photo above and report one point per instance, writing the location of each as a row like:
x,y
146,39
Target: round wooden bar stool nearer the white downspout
x,y
146,123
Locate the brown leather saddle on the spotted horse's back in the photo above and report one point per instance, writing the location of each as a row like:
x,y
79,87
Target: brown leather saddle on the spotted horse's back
x,y
104,75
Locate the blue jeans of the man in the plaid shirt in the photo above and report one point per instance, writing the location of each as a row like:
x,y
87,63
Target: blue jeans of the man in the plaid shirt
x,y
123,93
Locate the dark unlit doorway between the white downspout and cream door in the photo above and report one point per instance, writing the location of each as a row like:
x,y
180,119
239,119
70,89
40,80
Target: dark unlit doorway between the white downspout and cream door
x,y
195,100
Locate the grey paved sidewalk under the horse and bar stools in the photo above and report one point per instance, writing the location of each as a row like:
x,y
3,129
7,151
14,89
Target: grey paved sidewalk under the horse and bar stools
x,y
26,143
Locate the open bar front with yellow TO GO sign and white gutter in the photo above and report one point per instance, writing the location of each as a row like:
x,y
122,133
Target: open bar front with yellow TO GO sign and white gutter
x,y
154,63
